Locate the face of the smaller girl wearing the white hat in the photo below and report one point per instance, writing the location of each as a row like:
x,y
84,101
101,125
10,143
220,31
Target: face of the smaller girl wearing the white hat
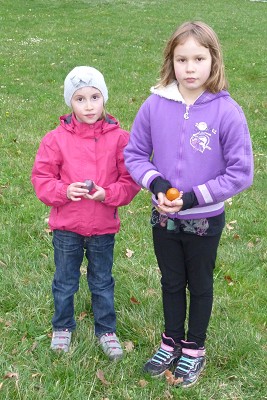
x,y
87,104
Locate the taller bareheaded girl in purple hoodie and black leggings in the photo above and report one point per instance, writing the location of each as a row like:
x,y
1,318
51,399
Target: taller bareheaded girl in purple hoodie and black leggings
x,y
191,135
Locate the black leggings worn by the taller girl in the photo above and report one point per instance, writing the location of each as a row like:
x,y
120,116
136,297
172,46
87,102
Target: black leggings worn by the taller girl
x,y
186,261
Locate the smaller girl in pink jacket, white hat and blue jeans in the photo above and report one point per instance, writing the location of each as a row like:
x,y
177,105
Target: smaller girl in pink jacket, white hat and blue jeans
x,y
79,172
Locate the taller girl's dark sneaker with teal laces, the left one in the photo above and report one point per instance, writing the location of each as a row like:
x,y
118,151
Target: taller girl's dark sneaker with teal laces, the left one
x,y
165,358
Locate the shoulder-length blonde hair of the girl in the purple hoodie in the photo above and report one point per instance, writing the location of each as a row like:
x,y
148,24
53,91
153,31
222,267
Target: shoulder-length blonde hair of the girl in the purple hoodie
x,y
206,37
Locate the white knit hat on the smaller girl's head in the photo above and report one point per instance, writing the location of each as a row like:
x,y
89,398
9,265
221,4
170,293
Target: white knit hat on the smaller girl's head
x,y
81,77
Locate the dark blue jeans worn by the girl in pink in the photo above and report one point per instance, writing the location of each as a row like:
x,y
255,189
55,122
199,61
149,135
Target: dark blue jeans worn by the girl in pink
x,y
69,249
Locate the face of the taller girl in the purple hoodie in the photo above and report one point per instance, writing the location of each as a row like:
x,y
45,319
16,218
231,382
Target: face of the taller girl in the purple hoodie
x,y
192,66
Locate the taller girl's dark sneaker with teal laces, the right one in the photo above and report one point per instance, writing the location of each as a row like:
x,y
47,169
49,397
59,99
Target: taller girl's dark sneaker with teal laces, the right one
x,y
190,365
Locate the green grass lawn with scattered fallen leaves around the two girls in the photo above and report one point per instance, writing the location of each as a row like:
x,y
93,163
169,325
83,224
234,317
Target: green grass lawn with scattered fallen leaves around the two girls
x,y
41,40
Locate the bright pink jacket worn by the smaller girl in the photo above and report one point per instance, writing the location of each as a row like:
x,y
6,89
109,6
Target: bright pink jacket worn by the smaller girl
x,y
77,151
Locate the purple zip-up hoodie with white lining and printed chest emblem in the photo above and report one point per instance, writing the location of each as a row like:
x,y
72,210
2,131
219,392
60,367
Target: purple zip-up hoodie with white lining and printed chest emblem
x,y
204,147
